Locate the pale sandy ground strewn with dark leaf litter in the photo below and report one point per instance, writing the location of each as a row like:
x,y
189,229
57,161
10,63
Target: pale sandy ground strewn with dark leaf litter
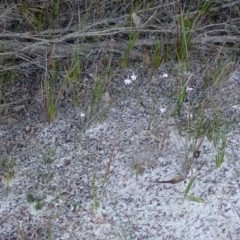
x,y
130,206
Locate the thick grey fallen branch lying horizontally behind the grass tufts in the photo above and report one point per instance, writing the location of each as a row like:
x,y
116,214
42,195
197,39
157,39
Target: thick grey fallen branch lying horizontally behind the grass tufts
x,y
64,50
